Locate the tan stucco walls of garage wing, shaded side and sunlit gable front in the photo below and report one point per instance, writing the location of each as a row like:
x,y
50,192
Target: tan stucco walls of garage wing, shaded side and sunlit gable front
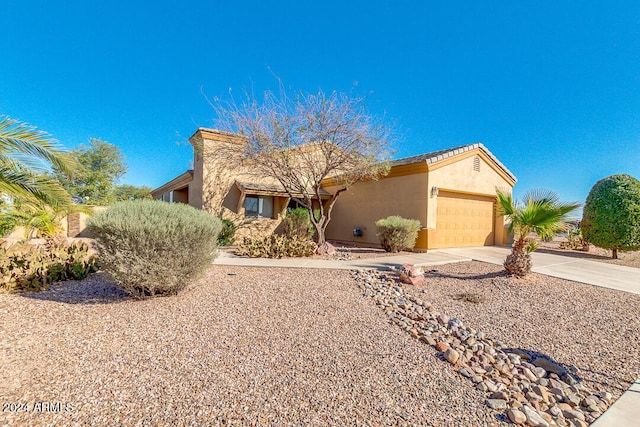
x,y
407,192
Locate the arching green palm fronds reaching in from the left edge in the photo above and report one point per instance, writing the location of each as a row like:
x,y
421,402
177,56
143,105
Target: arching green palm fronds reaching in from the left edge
x,y
25,155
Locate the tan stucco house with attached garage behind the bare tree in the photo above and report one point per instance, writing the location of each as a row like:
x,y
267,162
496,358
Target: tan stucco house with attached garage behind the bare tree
x,y
451,192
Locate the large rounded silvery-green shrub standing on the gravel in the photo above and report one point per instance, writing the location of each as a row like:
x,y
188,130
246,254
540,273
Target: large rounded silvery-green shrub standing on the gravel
x,y
154,248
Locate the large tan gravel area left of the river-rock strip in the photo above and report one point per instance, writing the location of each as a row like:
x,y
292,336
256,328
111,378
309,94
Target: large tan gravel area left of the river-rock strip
x,y
261,347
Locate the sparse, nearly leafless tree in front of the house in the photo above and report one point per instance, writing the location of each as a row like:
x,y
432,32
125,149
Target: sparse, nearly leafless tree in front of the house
x,y
308,140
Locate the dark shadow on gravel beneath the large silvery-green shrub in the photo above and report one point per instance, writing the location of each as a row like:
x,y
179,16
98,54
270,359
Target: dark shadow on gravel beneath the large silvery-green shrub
x,y
95,289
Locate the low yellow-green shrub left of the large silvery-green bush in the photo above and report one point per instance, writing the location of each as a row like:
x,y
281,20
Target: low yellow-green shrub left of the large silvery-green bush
x,y
26,268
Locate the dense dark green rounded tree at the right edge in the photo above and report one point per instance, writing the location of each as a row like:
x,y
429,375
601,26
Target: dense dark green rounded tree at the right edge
x,y
611,216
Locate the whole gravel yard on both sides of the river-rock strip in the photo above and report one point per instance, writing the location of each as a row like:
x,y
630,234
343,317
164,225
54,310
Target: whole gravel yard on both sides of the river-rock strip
x,y
252,346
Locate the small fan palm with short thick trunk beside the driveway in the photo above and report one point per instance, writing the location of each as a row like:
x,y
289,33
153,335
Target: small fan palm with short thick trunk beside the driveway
x,y
541,213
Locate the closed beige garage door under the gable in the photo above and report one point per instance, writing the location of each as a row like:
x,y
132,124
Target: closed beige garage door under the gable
x,y
464,220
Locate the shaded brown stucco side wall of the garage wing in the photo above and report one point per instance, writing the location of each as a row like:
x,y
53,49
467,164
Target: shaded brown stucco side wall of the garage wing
x,y
366,202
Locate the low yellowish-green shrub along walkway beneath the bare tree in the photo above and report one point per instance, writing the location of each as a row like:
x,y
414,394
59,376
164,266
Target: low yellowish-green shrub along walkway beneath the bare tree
x,y
276,246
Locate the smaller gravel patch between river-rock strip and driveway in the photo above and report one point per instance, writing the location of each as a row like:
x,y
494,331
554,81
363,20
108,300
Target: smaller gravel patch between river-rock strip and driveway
x,y
595,331
